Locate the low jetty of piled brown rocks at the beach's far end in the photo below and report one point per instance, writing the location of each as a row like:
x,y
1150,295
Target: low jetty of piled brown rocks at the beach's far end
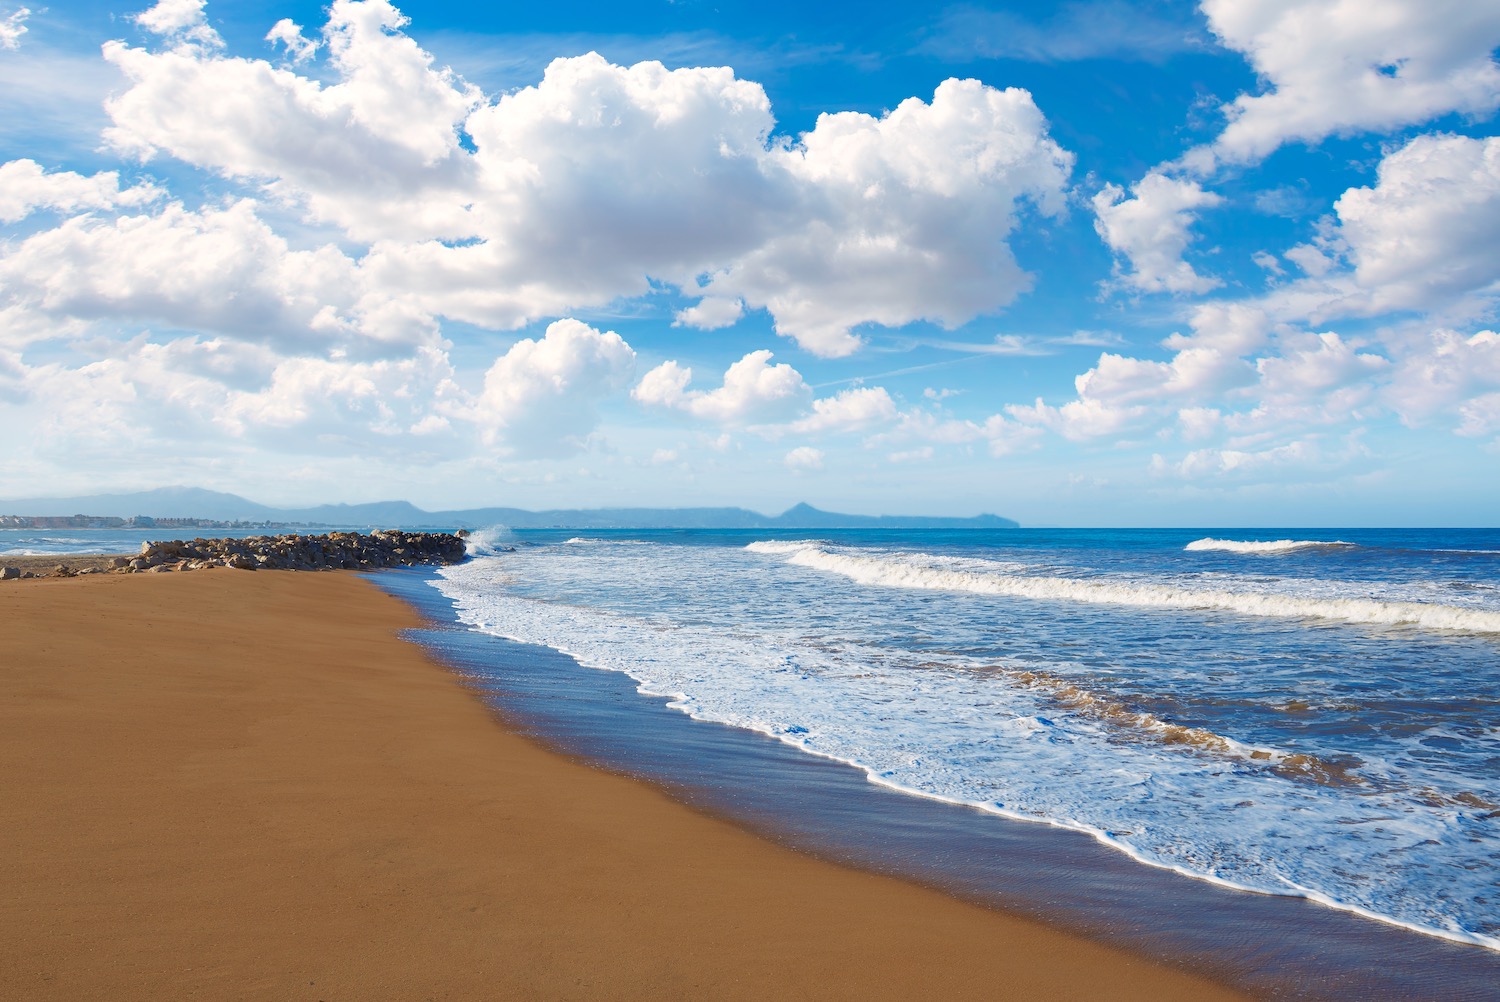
x,y
334,551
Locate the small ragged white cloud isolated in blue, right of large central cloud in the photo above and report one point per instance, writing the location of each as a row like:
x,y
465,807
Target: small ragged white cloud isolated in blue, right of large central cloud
x,y
1151,232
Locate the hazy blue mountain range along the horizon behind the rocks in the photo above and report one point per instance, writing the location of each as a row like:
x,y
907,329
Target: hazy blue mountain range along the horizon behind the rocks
x,y
193,503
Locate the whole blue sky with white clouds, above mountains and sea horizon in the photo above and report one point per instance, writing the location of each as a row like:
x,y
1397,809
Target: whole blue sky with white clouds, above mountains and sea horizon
x,y
1102,263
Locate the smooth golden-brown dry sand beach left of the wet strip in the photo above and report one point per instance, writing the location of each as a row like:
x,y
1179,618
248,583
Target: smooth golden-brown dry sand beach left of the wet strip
x,y
247,785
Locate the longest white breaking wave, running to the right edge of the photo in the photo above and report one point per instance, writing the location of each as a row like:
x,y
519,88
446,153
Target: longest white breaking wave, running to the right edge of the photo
x,y
898,571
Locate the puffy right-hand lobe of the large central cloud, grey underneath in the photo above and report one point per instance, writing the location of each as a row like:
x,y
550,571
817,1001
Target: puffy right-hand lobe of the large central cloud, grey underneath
x,y
902,218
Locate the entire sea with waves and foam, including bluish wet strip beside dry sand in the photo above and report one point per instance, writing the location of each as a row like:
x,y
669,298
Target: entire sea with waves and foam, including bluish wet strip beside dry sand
x,y
1270,755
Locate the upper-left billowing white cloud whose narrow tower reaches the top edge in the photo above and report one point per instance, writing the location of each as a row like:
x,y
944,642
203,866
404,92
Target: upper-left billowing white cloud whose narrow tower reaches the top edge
x,y
376,154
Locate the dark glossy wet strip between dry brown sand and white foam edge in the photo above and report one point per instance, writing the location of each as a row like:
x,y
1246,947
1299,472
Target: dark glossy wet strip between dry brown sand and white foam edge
x,y
1265,944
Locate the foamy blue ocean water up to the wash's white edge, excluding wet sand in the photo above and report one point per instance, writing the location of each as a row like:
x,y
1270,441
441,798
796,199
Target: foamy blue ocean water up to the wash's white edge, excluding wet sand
x,y
1300,713
